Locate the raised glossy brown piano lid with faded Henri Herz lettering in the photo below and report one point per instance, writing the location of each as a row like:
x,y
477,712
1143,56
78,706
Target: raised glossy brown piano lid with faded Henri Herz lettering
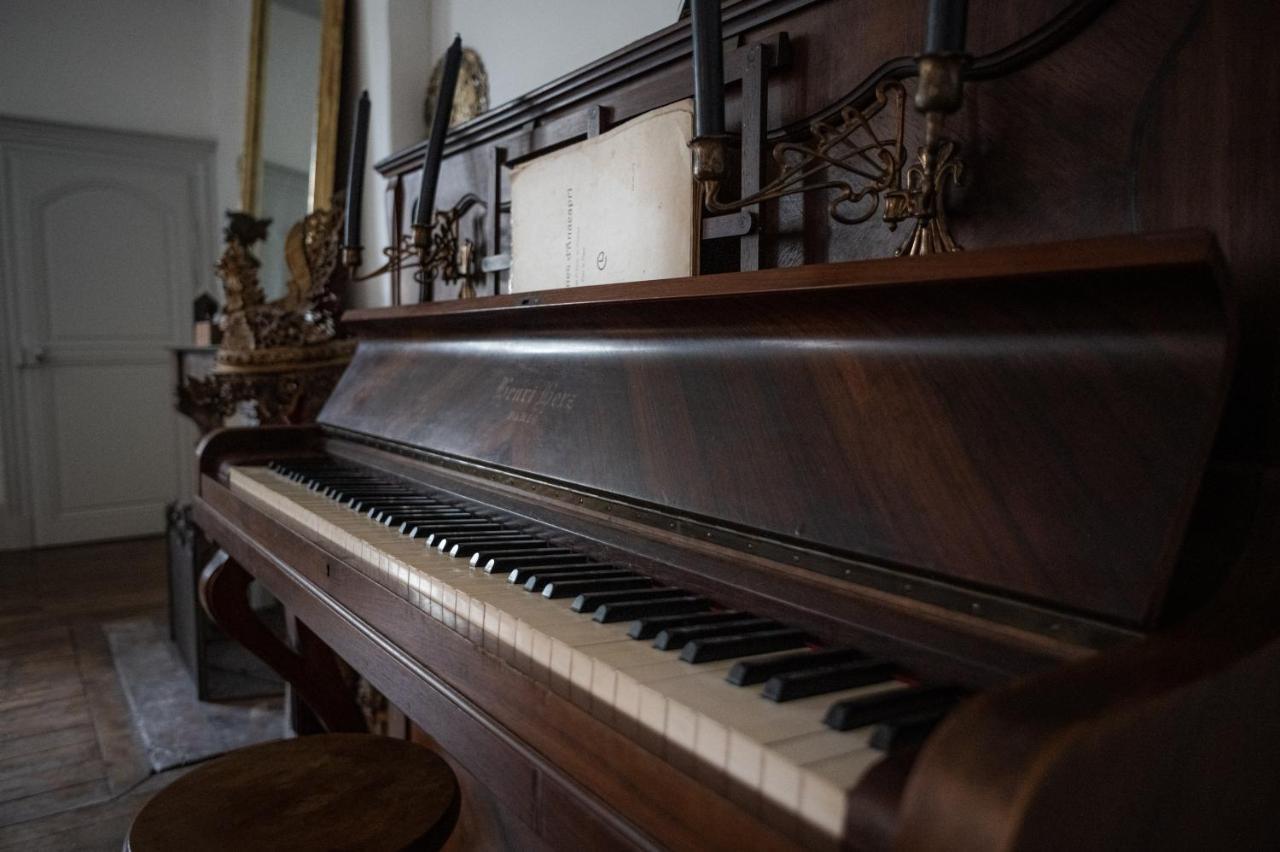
x,y
1031,422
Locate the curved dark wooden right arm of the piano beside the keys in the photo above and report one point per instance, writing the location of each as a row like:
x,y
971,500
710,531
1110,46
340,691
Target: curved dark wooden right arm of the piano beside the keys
x,y
1169,744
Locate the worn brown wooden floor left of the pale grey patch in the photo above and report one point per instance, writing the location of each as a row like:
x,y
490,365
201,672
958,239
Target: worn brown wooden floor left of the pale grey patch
x,y
72,773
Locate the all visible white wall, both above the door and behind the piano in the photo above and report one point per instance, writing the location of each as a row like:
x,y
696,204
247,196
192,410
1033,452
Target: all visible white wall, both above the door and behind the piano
x,y
179,67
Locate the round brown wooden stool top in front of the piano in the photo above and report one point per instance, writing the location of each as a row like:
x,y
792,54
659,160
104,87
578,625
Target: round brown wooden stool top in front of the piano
x,y
323,793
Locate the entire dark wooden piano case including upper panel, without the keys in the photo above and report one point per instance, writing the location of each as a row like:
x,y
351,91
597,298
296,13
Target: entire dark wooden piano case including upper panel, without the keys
x,y
1046,471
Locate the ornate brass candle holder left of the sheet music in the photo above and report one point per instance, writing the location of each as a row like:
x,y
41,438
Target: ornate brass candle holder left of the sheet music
x,y
436,253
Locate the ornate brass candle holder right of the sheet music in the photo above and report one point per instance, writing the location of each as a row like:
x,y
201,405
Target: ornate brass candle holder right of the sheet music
x,y
868,167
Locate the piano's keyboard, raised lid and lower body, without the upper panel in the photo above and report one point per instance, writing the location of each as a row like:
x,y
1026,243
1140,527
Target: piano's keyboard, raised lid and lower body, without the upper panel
x,y
921,553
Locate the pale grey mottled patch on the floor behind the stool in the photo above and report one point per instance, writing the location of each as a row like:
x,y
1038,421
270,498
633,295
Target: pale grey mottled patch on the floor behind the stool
x,y
175,727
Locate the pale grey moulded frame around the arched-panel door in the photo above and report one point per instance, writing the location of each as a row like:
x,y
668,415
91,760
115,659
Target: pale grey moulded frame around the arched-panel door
x,y
195,161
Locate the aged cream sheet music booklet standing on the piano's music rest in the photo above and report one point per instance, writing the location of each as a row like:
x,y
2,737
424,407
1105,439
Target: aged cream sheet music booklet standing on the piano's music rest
x,y
616,208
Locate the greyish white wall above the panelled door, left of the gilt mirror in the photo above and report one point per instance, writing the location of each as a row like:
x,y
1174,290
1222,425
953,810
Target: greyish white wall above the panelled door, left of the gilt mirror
x,y
172,67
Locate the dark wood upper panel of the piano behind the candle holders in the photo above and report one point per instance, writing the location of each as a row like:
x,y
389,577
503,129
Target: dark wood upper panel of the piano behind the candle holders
x,y
1087,118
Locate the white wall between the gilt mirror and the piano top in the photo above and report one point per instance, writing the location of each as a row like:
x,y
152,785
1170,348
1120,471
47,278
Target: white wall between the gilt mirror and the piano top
x,y
523,44
